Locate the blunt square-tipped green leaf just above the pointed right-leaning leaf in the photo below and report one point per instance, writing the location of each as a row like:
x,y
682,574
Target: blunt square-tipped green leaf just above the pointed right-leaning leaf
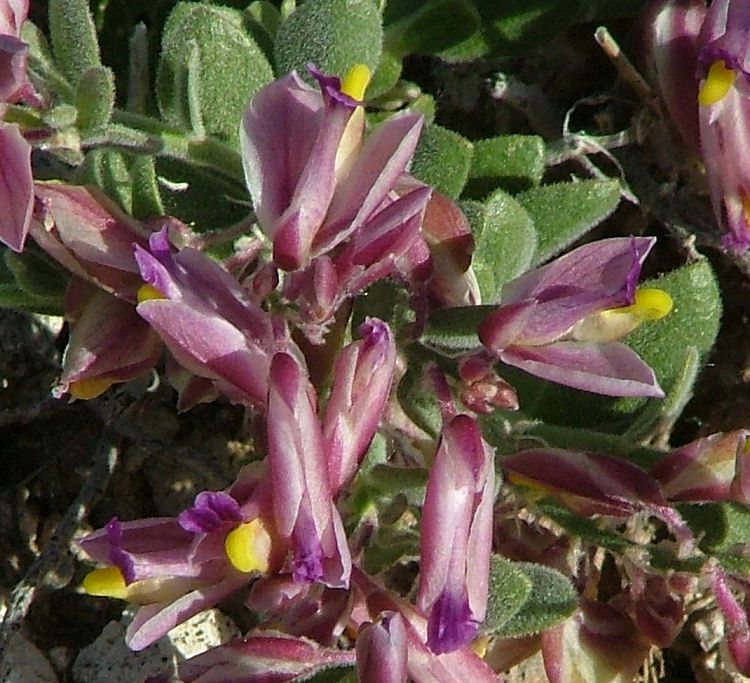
x,y
510,162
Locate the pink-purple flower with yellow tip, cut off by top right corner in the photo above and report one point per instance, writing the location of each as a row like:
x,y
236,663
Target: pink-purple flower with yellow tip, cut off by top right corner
x,y
701,54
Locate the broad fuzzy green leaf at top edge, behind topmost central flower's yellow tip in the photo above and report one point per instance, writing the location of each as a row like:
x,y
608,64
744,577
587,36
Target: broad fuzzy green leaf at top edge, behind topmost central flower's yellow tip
x,y
332,34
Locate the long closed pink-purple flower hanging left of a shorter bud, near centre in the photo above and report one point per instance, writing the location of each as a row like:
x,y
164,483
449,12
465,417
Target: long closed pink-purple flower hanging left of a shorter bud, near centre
x,y
304,510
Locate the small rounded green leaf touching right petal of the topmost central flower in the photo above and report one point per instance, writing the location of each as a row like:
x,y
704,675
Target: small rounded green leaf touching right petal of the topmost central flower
x,y
442,159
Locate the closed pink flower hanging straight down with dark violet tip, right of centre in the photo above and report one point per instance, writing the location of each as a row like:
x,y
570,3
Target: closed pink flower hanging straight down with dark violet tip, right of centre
x,y
456,536
